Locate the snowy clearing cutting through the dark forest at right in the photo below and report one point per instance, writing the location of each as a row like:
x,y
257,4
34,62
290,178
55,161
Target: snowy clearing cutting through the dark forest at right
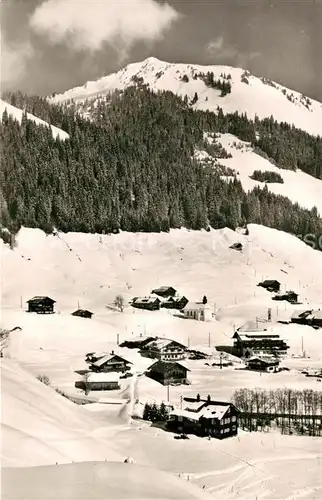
x,y
298,186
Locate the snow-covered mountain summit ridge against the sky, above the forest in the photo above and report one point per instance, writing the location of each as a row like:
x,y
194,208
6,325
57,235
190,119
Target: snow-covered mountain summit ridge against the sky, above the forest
x,y
249,94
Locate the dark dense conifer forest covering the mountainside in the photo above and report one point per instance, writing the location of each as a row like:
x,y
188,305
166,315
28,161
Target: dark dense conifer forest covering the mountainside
x,y
131,166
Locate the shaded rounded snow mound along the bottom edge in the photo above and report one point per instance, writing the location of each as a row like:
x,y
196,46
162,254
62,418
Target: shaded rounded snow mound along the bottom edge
x,y
97,481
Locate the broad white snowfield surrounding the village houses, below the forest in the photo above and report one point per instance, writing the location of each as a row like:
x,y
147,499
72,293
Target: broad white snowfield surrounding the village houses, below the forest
x,y
41,427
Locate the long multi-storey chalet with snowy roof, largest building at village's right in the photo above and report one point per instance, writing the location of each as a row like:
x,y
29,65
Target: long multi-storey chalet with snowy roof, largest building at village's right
x,y
249,343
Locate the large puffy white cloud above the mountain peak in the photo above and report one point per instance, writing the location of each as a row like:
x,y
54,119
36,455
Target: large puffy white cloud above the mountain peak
x,y
88,24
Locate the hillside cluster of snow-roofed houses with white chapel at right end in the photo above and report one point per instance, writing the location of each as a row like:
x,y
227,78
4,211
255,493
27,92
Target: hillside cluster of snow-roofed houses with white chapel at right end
x,y
167,297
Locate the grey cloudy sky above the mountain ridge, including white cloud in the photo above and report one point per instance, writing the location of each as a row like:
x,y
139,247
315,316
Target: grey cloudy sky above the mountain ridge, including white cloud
x,y
52,45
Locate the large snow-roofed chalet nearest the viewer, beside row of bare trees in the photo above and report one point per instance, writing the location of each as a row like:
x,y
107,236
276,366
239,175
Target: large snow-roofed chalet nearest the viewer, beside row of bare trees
x,y
205,417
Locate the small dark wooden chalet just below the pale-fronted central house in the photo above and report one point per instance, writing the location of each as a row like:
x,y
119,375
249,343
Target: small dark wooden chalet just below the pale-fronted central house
x,y
168,373
